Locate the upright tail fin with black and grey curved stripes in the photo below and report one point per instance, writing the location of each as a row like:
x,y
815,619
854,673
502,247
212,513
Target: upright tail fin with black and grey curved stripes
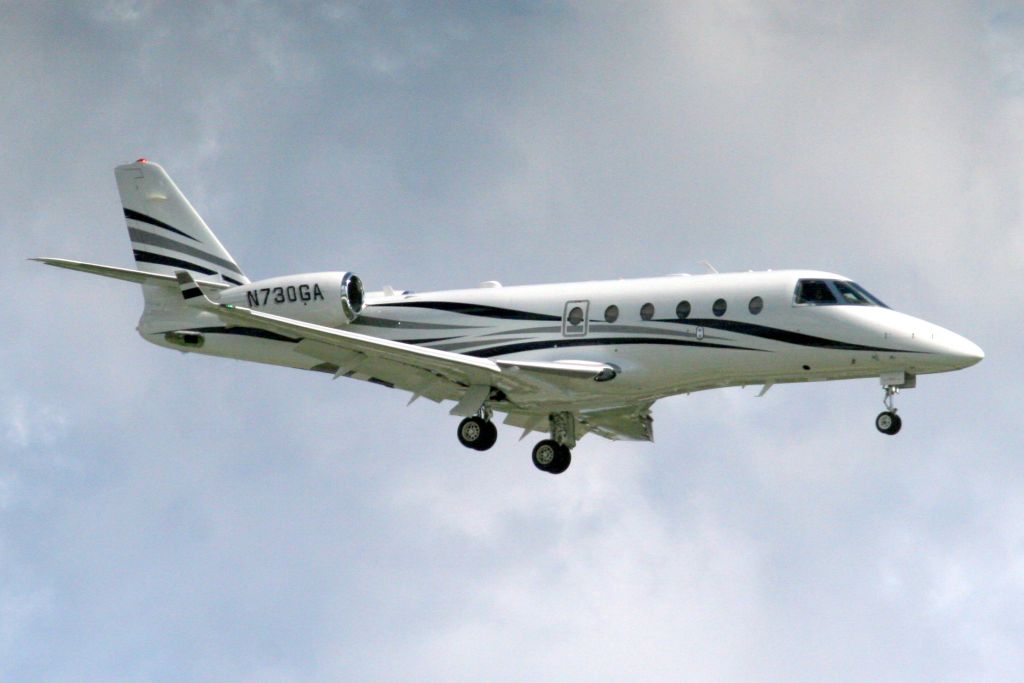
x,y
167,235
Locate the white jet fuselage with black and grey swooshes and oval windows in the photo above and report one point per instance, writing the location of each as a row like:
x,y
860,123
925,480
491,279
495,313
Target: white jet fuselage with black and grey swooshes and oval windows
x,y
660,353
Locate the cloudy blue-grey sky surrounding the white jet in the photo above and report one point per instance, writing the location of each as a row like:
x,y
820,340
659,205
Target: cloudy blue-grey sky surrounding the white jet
x,y
170,518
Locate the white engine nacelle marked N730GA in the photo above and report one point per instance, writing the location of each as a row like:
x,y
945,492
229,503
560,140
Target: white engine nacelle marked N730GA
x,y
324,298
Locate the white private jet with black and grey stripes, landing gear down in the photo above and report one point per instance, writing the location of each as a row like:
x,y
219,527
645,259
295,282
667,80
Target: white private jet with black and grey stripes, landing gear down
x,y
566,359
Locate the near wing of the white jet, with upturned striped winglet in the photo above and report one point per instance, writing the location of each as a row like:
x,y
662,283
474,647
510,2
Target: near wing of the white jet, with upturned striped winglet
x,y
433,373
